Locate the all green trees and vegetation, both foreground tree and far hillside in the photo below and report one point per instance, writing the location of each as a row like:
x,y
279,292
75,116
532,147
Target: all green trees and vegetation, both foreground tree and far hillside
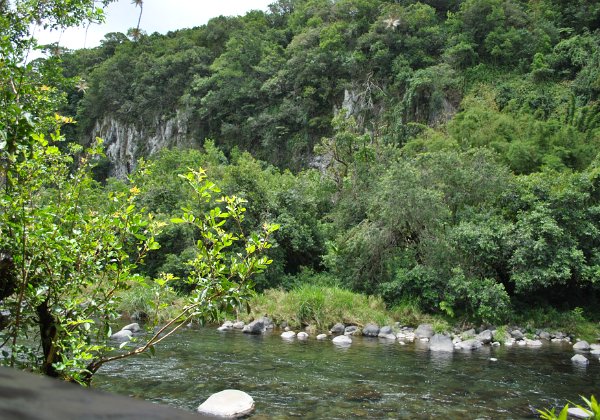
x,y
440,157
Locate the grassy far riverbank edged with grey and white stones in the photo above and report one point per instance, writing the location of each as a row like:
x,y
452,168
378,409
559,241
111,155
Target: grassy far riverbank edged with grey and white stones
x,y
316,309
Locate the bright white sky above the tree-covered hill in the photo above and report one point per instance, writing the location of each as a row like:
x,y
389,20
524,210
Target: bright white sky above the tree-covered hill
x,y
158,16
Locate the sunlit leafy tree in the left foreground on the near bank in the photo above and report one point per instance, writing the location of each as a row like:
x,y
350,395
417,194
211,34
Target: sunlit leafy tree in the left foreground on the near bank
x,y
69,246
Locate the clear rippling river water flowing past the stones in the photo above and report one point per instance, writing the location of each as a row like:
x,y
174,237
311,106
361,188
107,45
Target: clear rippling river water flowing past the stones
x,y
373,378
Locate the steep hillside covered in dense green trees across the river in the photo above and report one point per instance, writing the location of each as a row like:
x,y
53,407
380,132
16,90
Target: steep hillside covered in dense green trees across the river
x,y
443,152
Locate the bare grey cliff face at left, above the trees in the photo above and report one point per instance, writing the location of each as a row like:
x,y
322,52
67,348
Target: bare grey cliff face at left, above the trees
x,y
125,143
